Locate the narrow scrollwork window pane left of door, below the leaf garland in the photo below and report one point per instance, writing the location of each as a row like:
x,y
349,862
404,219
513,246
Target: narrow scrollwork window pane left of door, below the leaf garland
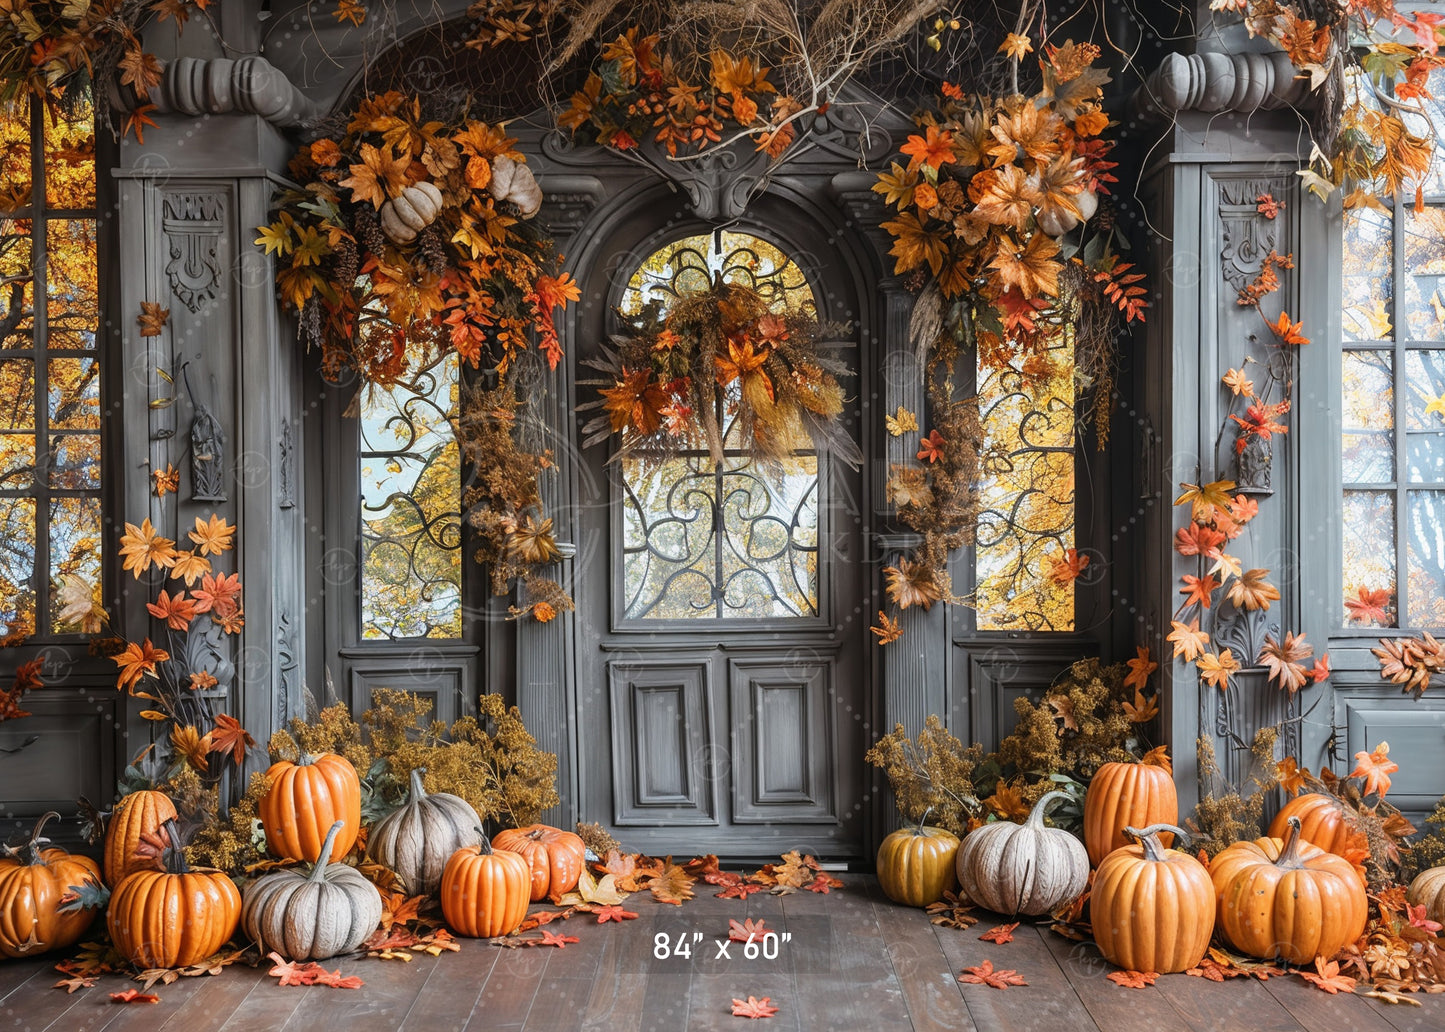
x,y
411,509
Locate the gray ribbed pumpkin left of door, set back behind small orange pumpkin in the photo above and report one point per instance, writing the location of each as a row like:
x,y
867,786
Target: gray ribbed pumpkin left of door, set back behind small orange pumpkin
x,y
420,839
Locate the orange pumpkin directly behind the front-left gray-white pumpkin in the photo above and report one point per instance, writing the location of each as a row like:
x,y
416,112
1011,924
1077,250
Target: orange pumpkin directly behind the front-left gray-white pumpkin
x,y
306,799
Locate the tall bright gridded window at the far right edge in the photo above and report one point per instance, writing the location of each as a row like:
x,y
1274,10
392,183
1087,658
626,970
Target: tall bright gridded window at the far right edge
x,y
1394,413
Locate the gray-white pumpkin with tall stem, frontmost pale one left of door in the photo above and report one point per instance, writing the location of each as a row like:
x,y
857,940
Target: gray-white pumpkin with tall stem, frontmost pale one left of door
x,y
311,916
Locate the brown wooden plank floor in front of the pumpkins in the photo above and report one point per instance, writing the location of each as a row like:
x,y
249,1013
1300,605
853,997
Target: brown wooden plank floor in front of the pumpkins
x,y
855,962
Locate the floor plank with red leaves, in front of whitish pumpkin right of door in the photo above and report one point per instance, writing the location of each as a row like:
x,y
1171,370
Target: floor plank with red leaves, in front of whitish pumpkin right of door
x,y
1050,999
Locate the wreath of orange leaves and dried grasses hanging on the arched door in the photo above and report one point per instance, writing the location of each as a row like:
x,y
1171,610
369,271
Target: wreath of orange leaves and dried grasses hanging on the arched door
x,y
722,369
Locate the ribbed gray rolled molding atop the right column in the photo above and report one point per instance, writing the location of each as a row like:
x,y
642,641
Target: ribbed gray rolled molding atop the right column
x,y
1219,83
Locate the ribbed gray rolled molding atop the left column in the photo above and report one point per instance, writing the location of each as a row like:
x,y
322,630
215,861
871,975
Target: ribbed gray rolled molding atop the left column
x,y
222,86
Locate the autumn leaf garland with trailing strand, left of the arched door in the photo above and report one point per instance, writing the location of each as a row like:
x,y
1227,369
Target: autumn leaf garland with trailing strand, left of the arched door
x,y
410,239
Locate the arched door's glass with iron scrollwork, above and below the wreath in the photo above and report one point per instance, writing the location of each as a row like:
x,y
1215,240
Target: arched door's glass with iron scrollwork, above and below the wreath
x,y
706,540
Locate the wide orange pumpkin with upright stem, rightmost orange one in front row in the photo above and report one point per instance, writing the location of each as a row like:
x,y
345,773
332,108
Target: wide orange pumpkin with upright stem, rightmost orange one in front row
x,y
1288,898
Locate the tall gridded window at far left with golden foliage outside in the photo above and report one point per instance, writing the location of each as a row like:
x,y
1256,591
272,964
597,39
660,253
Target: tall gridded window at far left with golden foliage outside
x,y
50,375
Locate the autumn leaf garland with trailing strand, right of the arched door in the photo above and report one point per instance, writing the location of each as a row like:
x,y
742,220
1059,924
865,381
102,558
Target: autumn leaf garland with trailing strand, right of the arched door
x,y
1001,222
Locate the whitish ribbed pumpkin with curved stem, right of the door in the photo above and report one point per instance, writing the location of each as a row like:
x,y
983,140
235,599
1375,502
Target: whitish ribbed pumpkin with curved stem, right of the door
x,y
1024,868
